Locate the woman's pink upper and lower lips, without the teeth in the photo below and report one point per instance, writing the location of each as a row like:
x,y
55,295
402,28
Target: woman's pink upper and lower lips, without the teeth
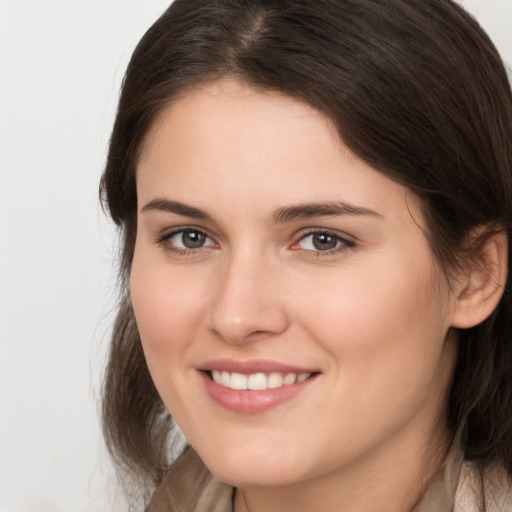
x,y
248,401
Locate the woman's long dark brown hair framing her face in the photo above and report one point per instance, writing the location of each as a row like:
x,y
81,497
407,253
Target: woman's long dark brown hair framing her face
x,y
415,88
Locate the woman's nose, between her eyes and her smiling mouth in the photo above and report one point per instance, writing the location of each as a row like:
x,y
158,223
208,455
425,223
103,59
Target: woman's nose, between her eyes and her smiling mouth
x,y
248,304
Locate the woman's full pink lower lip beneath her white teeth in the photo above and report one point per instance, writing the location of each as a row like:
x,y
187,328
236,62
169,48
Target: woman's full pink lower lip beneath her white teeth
x,y
252,402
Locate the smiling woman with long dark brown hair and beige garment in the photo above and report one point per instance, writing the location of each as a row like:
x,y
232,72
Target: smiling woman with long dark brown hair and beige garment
x,y
315,202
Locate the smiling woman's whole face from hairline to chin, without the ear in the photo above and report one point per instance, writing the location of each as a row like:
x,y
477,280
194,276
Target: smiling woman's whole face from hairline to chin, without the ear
x,y
269,256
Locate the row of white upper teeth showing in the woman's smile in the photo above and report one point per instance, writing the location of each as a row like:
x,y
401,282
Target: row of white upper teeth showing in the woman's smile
x,y
257,381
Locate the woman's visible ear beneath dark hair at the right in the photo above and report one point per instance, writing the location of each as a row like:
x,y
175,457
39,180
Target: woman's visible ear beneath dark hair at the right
x,y
481,285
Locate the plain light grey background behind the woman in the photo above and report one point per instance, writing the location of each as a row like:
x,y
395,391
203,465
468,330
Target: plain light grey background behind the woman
x,y
61,64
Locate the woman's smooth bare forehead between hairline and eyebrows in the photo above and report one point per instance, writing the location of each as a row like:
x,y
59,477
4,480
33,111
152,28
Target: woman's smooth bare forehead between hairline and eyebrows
x,y
229,140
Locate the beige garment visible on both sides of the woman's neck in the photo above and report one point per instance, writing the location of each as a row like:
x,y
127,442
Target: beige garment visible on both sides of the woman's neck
x,y
458,487
